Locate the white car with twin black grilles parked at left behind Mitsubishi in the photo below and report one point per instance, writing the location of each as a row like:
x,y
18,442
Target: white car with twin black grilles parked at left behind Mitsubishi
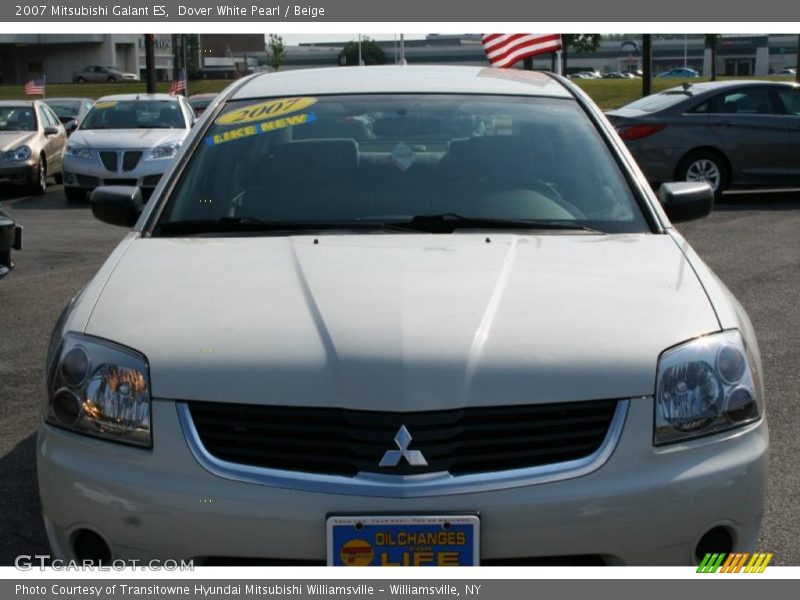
x,y
125,139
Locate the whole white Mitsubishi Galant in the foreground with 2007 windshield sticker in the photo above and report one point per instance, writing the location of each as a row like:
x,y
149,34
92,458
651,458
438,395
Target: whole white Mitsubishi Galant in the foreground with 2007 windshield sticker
x,y
403,315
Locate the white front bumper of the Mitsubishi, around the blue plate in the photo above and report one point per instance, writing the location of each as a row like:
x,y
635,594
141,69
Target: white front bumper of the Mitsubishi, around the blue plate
x,y
643,506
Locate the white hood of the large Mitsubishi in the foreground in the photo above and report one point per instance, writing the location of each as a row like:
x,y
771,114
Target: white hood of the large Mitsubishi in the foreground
x,y
402,322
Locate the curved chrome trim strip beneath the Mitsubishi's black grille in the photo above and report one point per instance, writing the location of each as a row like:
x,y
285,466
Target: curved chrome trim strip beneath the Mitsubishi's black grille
x,y
403,486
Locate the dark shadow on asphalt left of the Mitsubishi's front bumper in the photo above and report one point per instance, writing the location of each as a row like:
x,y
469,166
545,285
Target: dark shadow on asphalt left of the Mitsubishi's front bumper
x,y
21,527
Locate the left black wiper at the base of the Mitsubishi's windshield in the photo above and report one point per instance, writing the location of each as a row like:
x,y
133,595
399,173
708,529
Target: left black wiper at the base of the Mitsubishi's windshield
x,y
252,225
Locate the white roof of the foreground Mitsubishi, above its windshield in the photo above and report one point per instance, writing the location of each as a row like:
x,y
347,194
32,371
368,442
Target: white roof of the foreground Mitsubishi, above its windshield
x,y
402,79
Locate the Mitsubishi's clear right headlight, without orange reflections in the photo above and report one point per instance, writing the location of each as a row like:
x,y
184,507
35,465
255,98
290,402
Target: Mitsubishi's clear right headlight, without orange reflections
x,y
705,386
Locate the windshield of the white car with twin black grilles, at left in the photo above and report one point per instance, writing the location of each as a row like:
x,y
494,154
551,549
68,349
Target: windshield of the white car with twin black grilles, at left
x,y
135,114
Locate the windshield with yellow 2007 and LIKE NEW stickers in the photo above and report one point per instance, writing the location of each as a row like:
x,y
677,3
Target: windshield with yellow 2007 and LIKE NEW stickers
x,y
422,161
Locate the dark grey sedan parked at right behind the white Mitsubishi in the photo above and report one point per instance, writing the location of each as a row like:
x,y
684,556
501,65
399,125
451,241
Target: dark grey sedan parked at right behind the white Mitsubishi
x,y
730,134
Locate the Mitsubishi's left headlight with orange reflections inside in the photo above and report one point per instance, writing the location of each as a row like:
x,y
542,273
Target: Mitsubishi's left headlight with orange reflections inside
x,y
100,389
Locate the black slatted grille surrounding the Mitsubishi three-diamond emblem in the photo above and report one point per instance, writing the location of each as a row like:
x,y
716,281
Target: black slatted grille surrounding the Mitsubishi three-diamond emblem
x,y
347,442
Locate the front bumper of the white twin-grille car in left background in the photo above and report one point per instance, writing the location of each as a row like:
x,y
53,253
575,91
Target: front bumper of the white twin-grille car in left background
x,y
89,173
